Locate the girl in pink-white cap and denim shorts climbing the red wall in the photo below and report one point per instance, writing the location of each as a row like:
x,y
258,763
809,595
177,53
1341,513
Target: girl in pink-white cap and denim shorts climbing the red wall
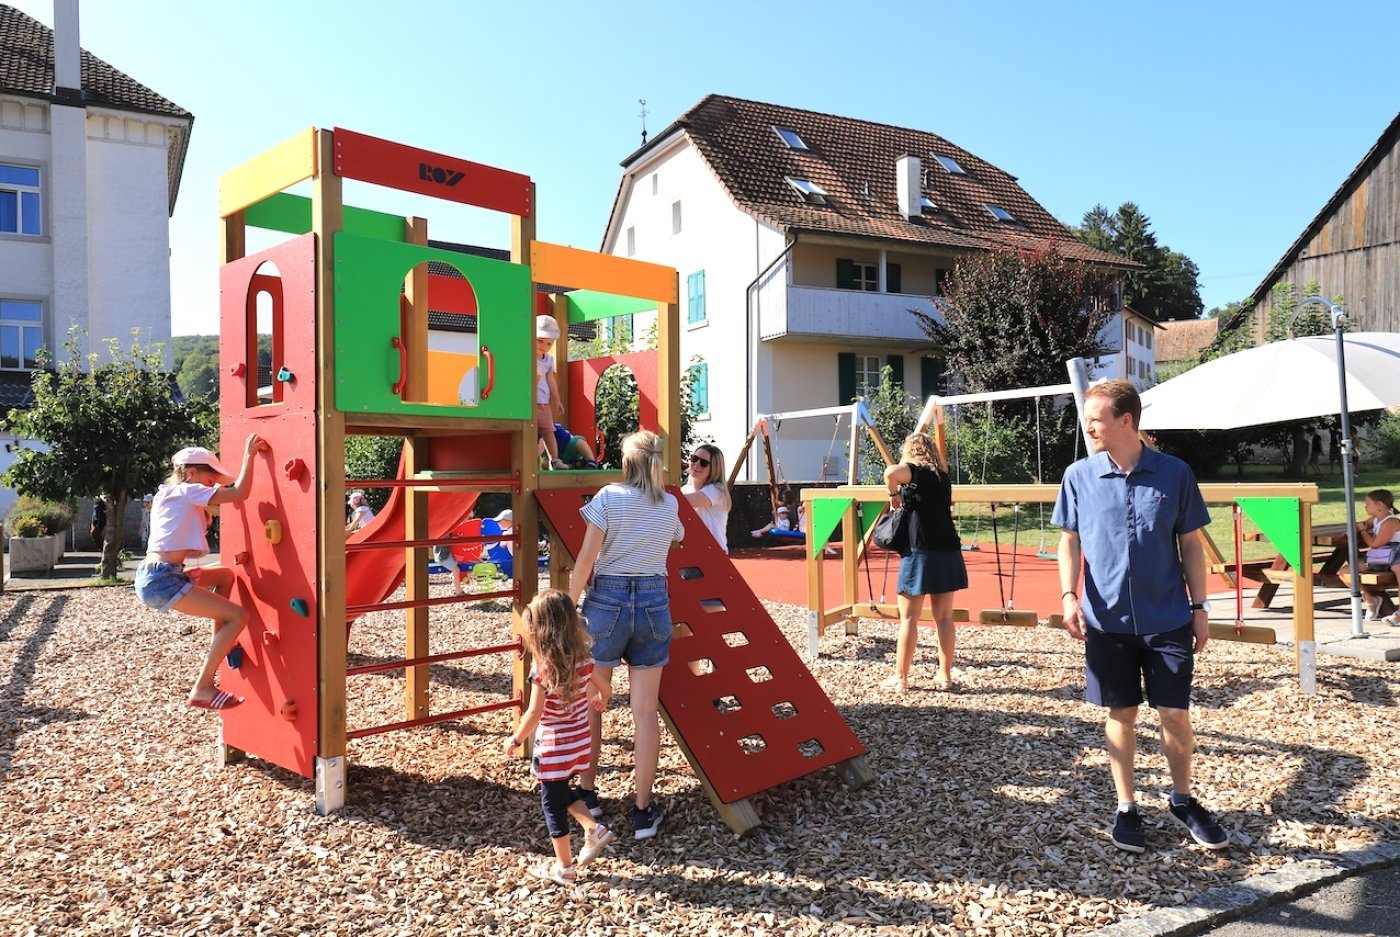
x,y
178,523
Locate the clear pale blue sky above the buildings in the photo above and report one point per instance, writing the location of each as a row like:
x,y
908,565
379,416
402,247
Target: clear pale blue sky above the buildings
x,y
1228,123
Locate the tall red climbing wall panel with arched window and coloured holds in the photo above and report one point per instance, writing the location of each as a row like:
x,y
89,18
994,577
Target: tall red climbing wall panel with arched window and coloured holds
x,y
278,582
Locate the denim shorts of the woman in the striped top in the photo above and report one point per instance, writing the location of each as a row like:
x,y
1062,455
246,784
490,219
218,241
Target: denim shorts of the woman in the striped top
x,y
629,618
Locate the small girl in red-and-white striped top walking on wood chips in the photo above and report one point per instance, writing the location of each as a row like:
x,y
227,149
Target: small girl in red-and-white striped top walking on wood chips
x,y
558,714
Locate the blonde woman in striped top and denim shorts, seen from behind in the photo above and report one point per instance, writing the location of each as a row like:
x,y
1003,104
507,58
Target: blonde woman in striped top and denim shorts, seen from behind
x,y
628,610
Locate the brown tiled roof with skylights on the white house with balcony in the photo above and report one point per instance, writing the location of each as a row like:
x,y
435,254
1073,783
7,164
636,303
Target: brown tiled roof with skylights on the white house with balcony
x,y
853,162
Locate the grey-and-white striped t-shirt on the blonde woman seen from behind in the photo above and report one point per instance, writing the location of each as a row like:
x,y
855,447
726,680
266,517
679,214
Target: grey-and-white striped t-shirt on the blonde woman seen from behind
x,y
636,533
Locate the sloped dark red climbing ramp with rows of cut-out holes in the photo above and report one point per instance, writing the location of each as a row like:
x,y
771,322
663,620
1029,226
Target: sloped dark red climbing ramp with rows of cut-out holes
x,y
754,718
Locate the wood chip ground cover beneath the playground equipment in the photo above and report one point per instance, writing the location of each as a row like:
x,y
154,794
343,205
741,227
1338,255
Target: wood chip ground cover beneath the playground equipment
x,y
988,817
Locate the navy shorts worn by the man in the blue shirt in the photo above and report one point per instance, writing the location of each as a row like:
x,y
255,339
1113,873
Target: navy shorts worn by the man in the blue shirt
x,y
1118,666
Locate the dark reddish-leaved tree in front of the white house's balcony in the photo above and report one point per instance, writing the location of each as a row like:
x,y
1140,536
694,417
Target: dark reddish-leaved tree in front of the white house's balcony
x,y
1013,320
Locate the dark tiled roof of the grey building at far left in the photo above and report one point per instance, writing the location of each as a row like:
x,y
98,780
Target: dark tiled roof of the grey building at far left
x,y
27,68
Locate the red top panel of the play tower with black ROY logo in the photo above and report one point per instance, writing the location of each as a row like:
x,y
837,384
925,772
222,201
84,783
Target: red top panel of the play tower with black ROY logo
x,y
433,174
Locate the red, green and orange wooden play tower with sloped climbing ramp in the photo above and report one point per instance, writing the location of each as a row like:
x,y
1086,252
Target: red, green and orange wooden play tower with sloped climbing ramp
x,y
346,302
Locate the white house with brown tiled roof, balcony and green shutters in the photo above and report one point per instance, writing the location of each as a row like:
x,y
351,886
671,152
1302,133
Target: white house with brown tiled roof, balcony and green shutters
x,y
806,242
